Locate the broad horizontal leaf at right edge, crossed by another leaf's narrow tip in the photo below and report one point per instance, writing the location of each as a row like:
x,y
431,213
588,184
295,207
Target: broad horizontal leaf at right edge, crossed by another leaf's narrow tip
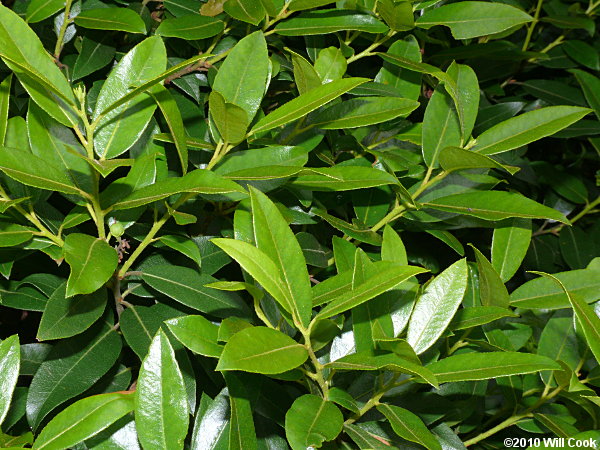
x,y
543,293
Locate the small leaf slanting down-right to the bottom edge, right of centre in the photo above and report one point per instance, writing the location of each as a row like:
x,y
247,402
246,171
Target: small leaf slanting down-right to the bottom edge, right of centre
x,y
408,426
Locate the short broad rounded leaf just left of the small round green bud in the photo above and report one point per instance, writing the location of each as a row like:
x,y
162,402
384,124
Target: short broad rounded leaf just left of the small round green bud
x,y
92,263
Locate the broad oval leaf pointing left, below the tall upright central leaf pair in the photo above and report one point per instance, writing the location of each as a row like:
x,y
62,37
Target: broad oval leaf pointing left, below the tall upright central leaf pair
x,y
261,350
